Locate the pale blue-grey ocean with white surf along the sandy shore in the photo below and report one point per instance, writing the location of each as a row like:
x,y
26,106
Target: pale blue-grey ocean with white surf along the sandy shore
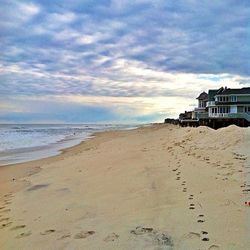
x,y
26,142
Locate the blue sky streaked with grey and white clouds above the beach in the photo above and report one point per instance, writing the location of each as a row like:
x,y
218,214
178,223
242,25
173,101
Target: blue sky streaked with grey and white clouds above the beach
x,y
117,61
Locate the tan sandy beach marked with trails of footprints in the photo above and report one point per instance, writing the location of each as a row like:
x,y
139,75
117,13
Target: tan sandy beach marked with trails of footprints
x,y
158,187
